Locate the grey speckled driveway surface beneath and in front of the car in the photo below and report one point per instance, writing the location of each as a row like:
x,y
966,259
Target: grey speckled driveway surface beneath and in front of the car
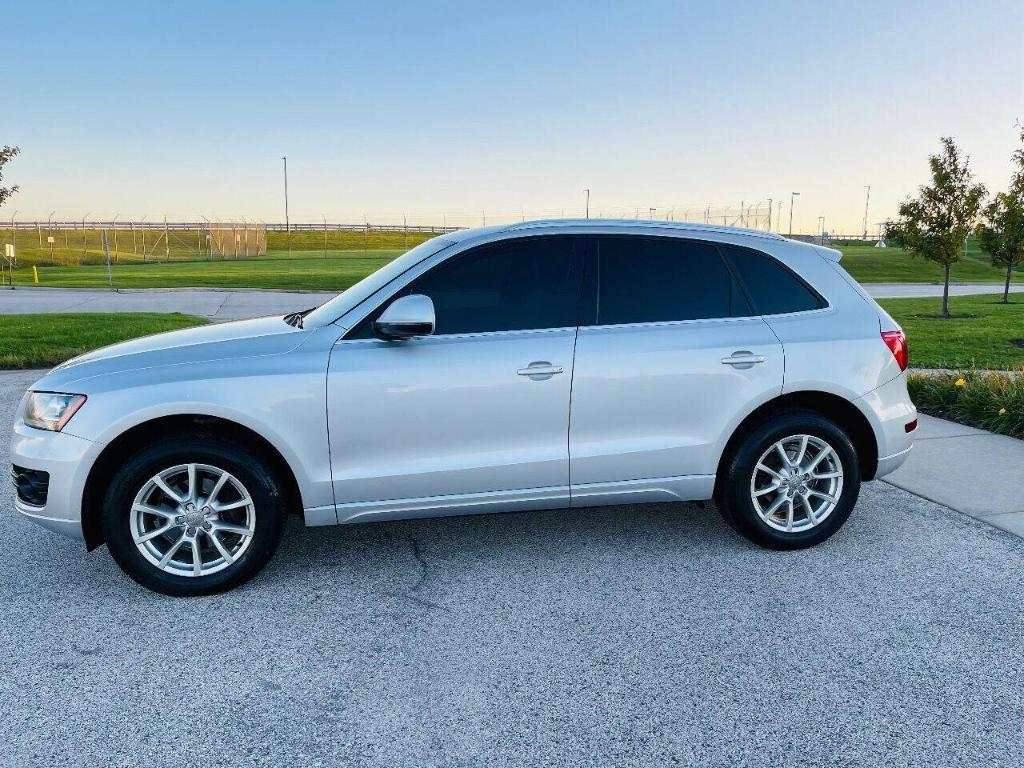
x,y
632,636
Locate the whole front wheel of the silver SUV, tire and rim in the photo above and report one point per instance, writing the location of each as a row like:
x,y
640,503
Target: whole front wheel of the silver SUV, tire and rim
x,y
194,516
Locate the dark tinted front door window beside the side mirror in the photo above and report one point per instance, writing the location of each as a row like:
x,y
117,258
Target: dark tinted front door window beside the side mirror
x,y
533,283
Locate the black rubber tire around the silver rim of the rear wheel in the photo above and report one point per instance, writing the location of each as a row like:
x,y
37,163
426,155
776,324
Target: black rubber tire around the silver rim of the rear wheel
x,y
735,486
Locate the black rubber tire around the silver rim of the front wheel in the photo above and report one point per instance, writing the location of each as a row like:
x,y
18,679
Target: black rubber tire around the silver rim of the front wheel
x,y
255,473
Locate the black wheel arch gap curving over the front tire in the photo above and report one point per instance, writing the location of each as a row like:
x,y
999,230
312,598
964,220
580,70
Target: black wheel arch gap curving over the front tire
x,y
140,435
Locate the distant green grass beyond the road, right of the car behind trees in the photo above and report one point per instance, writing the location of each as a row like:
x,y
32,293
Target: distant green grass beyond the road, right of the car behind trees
x,y
870,265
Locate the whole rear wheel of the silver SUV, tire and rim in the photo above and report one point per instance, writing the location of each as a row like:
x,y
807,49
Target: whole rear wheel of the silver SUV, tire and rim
x,y
792,482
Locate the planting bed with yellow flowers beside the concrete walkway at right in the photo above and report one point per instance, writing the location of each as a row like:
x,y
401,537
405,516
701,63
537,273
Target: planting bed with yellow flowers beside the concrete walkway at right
x,y
986,400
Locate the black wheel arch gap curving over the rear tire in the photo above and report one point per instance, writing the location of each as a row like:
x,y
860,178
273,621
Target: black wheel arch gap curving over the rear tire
x,y
833,407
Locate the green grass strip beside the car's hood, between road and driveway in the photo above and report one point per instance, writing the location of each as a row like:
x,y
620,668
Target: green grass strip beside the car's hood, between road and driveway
x,y
46,340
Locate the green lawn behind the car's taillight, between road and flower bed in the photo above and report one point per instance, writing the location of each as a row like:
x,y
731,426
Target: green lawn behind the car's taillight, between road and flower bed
x,y
984,333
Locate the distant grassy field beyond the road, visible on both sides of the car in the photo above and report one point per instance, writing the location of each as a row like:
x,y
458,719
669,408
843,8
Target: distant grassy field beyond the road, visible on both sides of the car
x,y
350,258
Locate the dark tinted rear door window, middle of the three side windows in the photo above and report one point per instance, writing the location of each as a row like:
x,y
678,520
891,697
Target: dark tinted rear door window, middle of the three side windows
x,y
652,280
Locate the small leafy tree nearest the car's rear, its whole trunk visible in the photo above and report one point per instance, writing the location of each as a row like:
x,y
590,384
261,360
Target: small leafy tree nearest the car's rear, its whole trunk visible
x,y
936,224
